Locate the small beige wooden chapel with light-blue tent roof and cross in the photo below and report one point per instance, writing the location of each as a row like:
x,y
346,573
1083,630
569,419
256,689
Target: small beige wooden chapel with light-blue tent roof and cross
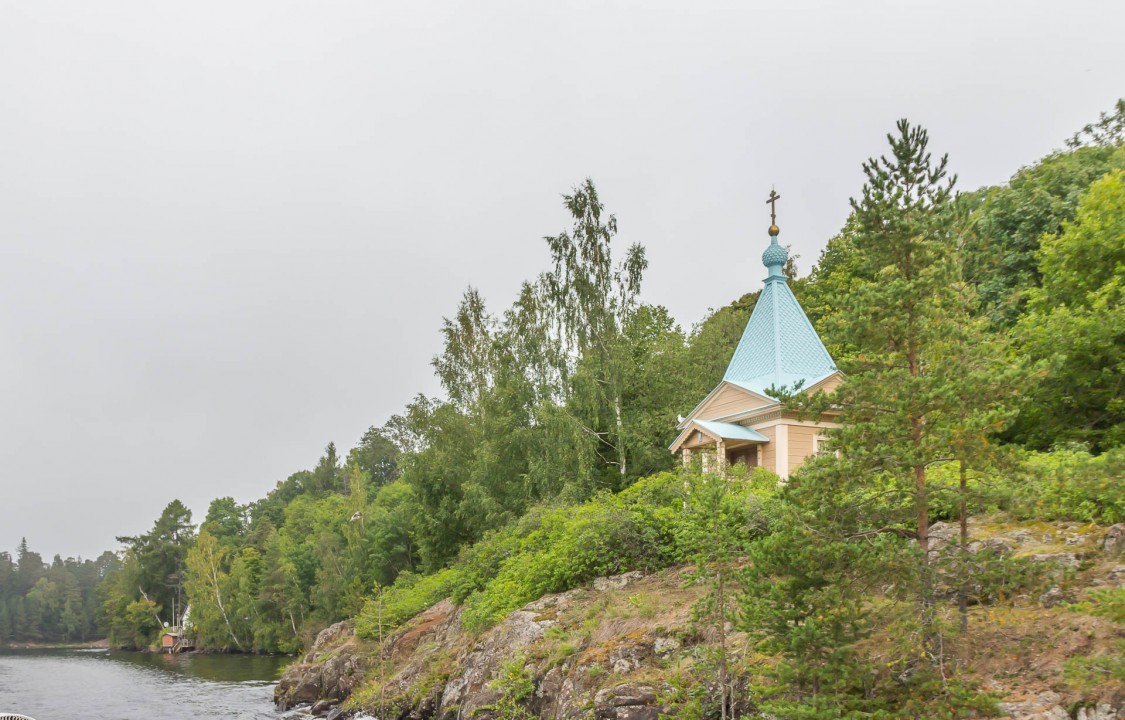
x,y
739,422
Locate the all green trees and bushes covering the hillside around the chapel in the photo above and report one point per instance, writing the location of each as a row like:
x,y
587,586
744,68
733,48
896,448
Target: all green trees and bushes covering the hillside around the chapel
x,y
983,336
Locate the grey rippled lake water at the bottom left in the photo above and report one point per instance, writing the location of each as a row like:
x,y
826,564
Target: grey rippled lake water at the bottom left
x,y
115,686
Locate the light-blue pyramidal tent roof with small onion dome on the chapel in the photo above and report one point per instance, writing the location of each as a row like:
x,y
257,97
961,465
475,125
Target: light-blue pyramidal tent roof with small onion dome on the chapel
x,y
780,347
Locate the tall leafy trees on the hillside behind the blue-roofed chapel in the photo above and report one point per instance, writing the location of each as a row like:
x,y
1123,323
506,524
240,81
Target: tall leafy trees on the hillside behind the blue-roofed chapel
x,y
574,392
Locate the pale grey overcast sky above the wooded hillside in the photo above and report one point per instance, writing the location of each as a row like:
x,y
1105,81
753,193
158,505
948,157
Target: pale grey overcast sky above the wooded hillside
x,y
230,231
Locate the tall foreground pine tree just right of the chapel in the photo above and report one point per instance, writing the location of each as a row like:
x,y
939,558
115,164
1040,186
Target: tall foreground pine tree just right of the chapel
x,y
926,381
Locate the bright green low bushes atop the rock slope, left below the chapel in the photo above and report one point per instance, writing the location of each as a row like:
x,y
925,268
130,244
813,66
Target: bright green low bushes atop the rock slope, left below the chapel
x,y
556,548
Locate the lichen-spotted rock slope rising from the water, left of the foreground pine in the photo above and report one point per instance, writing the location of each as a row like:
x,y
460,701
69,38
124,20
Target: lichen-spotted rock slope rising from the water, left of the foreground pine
x,y
443,672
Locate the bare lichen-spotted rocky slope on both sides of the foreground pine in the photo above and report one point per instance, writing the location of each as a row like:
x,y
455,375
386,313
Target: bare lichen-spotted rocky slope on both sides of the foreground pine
x,y
610,652
